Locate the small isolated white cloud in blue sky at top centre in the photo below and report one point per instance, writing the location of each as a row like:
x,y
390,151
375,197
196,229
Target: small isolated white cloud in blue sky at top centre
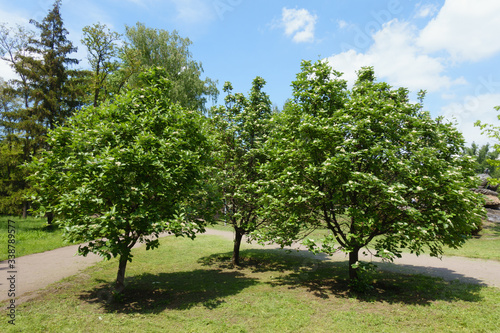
x,y
299,23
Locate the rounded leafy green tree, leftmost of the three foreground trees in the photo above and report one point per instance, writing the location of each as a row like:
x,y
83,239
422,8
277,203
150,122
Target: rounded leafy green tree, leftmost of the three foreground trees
x,y
124,172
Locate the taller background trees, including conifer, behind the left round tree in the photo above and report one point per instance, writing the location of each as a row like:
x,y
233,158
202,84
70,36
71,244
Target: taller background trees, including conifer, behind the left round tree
x,y
50,87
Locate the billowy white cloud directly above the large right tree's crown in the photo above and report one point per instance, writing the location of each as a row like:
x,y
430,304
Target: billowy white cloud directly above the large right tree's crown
x,y
397,59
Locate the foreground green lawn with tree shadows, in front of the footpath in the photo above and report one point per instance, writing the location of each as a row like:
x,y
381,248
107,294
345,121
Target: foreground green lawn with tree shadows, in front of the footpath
x,y
189,286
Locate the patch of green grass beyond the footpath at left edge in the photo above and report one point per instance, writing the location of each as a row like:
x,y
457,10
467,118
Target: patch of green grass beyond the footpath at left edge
x,y
31,236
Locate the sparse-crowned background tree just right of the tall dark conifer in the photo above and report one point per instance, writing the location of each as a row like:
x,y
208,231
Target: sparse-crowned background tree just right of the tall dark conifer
x,y
102,50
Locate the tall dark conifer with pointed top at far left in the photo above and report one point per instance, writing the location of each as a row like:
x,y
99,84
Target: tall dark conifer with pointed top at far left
x,y
49,88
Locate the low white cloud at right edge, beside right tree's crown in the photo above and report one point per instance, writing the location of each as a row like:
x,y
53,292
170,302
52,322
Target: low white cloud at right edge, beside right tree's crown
x,y
470,110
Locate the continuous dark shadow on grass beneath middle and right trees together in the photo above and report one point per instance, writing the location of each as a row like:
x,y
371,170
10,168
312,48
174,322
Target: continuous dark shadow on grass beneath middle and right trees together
x,y
325,279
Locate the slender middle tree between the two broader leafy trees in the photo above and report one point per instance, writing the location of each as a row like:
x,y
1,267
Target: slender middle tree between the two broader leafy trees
x,y
241,127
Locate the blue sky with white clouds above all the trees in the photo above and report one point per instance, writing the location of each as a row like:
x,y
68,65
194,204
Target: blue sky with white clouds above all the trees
x,y
450,48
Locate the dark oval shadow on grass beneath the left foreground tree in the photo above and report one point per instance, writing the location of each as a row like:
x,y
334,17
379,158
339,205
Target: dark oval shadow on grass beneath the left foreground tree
x,y
153,293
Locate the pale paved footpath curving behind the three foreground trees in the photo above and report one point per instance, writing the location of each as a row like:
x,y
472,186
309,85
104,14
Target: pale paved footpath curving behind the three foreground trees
x,y
36,271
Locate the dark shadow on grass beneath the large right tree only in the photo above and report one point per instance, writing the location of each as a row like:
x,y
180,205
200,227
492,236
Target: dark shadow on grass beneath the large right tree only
x,y
330,279
